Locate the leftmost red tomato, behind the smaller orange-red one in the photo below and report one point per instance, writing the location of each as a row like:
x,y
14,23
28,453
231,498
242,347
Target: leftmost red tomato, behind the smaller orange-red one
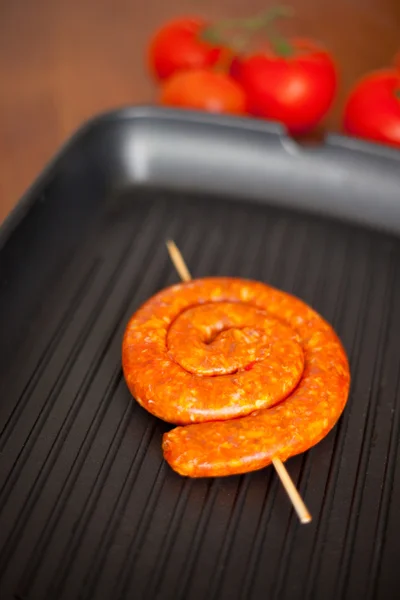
x,y
177,46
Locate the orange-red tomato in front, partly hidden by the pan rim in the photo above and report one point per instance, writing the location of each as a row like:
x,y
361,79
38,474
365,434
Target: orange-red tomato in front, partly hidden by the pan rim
x,y
202,89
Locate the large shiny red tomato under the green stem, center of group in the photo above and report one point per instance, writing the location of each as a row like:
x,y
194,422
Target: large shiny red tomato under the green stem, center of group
x,y
296,90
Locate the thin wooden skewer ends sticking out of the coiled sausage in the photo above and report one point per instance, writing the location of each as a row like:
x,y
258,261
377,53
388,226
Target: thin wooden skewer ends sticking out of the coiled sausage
x,y
290,488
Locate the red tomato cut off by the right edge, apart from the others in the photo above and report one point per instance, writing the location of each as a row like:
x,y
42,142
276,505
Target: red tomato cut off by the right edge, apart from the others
x,y
372,110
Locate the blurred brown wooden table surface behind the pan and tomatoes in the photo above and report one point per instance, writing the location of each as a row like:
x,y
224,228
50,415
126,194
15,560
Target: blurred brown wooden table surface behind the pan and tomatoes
x,y
62,62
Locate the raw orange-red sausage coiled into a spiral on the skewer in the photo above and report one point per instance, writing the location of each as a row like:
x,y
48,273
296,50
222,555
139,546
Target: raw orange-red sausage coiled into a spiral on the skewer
x,y
249,372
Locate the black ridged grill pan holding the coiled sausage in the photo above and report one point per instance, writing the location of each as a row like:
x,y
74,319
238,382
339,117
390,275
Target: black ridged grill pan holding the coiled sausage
x,y
88,508
